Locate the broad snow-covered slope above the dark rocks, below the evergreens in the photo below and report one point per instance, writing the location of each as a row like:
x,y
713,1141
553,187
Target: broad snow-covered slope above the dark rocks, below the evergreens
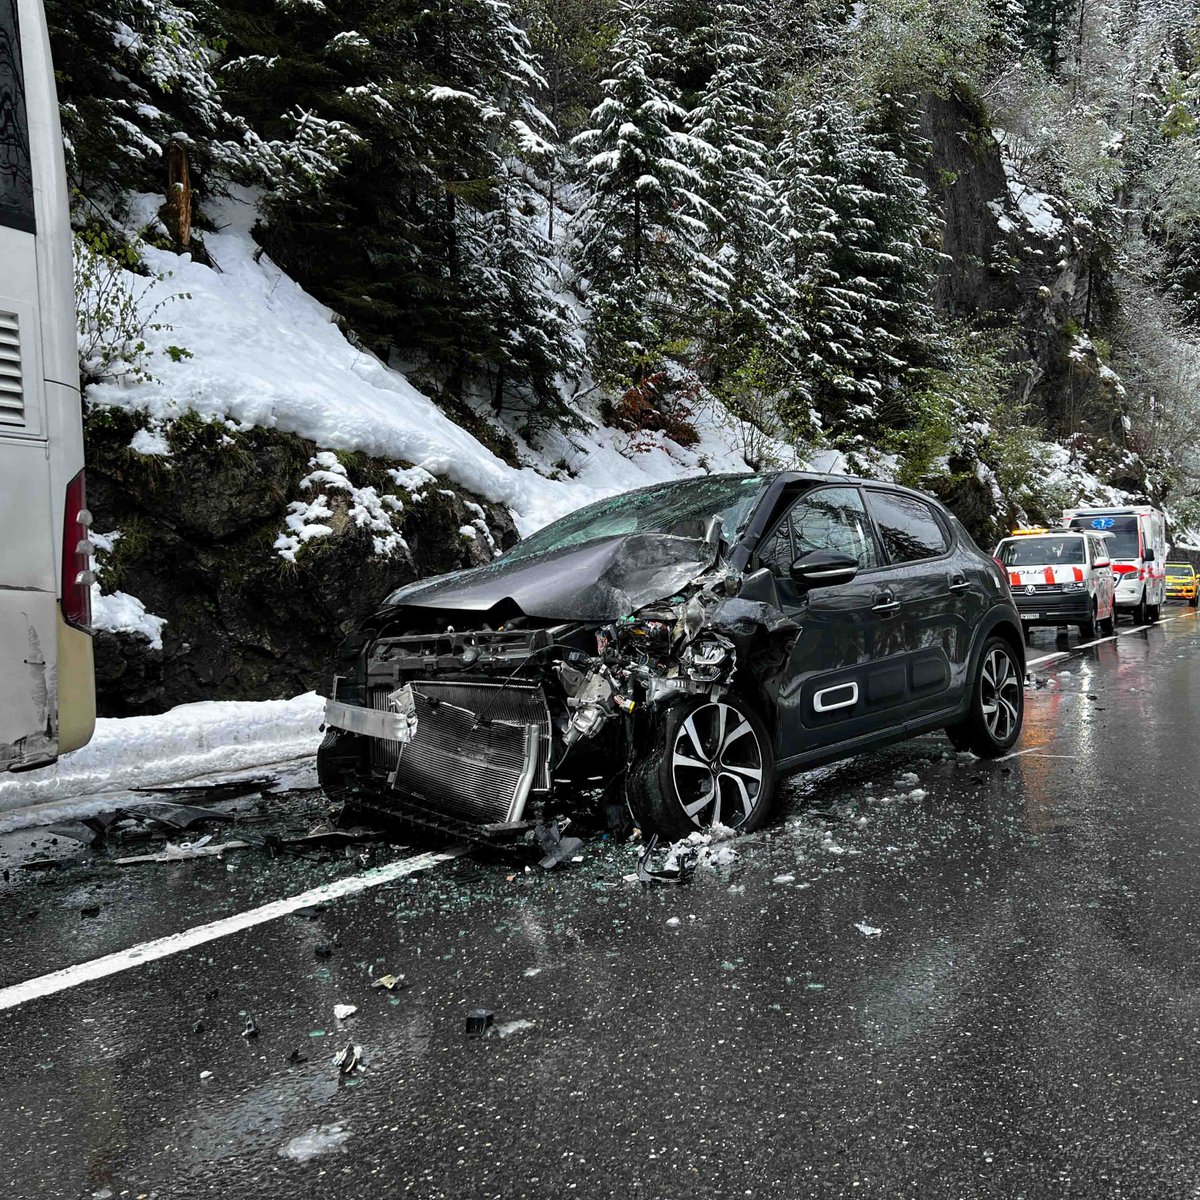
x,y
266,353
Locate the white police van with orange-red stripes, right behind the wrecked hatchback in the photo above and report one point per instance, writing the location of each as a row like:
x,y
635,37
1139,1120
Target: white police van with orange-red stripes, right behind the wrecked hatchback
x,y
1060,579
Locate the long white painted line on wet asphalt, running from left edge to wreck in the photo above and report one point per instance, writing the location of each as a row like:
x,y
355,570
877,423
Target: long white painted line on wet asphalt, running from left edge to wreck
x,y
175,944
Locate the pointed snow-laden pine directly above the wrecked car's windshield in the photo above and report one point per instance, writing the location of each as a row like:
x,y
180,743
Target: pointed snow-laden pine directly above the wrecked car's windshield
x,y
639,231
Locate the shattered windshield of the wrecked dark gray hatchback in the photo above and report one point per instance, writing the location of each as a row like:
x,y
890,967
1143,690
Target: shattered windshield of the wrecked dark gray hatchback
x,y
682,508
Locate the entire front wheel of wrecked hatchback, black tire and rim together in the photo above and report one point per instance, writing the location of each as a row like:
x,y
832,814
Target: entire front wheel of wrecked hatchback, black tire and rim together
x,y
679,787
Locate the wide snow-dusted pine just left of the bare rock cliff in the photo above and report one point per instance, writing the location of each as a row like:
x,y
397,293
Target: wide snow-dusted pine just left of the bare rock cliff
x,y
859,236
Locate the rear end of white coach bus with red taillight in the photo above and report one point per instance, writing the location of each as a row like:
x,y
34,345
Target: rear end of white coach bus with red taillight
x,y
47,685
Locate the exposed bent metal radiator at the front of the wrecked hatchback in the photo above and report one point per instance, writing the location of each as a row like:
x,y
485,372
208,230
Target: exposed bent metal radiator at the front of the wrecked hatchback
x,y
458,765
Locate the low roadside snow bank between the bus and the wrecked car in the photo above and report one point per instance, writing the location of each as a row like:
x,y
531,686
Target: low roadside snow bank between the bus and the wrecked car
x,y
188,742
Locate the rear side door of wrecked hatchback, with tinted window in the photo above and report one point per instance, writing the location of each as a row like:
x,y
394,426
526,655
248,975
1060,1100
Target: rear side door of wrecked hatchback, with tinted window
x,y
939,599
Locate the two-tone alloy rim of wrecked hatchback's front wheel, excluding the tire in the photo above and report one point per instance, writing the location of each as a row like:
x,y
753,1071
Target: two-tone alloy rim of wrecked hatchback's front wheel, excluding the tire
x,y
717,766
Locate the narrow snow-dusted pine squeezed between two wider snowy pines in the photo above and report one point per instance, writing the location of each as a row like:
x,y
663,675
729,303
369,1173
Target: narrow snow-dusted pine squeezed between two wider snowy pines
x,y
740,277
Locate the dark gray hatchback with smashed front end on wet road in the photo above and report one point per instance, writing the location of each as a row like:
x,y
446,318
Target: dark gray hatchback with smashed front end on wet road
x,y
675,650
